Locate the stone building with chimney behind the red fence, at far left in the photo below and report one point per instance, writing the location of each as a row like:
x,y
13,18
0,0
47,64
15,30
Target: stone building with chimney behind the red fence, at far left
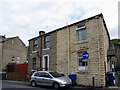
x,y
12,51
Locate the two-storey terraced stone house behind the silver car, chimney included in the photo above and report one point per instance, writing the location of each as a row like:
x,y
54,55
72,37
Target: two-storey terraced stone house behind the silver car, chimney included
x,y
61,50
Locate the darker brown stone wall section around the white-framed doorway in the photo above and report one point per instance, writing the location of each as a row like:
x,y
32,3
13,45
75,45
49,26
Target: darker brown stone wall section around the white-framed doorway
x,y
51,52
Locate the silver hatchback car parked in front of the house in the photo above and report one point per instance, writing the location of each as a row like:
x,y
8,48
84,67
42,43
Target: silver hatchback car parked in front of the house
x,y
50,78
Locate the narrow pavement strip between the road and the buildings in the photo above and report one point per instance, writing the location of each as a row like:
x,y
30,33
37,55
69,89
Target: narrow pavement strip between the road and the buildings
x,y
73,86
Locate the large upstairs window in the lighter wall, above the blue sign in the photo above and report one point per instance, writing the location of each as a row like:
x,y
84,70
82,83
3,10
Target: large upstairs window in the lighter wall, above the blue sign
x,y
81,31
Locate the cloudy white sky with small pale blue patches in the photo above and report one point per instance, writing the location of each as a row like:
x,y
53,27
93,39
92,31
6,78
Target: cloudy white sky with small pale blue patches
x,y
25,18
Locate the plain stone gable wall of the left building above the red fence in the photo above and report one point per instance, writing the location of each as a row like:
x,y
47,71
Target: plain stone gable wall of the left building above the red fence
x,y
14,47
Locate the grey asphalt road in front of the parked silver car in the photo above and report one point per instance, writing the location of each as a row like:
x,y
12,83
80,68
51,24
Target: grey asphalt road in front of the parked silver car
x,y
15,85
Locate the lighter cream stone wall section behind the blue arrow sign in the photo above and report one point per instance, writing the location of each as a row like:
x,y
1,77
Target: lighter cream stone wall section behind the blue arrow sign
x,y
96,45
